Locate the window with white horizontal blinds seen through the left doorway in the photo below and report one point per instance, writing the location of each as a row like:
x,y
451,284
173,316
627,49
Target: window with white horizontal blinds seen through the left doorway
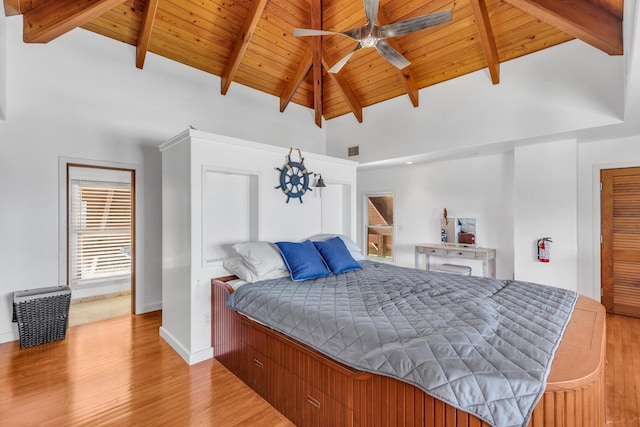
x,y
100,231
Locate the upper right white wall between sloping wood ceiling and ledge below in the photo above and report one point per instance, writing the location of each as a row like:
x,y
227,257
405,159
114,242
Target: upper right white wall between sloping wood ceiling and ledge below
x,y
556,90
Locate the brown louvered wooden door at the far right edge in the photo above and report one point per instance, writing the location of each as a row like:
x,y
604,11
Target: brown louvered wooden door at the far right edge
x,y
620,250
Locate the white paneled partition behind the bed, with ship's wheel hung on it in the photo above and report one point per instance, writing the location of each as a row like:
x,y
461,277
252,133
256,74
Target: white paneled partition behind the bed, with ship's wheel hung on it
x,y
218,190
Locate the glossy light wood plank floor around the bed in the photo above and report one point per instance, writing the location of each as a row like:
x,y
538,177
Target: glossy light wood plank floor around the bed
x,y
120,372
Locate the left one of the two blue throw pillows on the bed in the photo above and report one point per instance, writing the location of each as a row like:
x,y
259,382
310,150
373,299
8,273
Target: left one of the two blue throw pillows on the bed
x,y
303,260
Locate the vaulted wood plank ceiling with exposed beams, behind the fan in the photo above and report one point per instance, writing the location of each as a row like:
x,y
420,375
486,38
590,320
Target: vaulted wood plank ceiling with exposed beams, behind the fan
x,y
251,42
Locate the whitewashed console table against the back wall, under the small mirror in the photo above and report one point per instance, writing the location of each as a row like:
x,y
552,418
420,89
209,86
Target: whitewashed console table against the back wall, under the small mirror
x,y
486,255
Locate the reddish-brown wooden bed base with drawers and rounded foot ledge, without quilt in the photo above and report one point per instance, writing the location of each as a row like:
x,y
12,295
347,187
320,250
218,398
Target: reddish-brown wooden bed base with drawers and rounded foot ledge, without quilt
x,y
312,390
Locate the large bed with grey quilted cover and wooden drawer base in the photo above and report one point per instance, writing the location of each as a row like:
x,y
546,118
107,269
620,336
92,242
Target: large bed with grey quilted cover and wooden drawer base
x,y
316,385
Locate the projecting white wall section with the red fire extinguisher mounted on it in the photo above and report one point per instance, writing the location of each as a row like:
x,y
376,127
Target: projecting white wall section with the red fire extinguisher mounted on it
x,y
545,205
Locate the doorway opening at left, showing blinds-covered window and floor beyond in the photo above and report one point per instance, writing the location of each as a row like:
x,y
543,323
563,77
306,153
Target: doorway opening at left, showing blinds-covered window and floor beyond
x,y
100,242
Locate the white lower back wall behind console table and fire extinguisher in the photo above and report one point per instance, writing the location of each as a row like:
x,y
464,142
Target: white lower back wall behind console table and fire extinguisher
x,y
539,190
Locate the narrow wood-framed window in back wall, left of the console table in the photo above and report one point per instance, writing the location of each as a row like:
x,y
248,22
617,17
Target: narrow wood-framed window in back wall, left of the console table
x,y
379,226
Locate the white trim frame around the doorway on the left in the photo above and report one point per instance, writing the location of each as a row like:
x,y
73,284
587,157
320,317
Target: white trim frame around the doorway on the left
x,y
137,291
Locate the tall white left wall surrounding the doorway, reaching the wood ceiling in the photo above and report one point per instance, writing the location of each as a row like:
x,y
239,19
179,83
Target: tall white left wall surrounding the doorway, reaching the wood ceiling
x,y
82,97
